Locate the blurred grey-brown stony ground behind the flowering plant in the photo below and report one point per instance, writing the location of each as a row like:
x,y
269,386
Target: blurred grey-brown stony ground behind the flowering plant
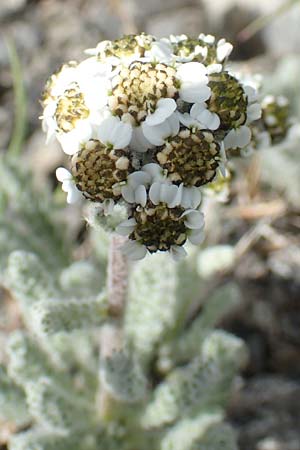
x,y
260,223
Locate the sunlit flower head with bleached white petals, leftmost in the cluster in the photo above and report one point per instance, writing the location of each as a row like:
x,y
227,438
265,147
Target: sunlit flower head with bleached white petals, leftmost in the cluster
x,y
75,109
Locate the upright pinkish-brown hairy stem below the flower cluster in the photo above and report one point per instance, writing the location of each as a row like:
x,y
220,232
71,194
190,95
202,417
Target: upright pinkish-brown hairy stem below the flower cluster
x,y
111,333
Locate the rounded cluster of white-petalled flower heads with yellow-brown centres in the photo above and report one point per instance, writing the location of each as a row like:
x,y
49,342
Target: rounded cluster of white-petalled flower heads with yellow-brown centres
x,y
147,123
